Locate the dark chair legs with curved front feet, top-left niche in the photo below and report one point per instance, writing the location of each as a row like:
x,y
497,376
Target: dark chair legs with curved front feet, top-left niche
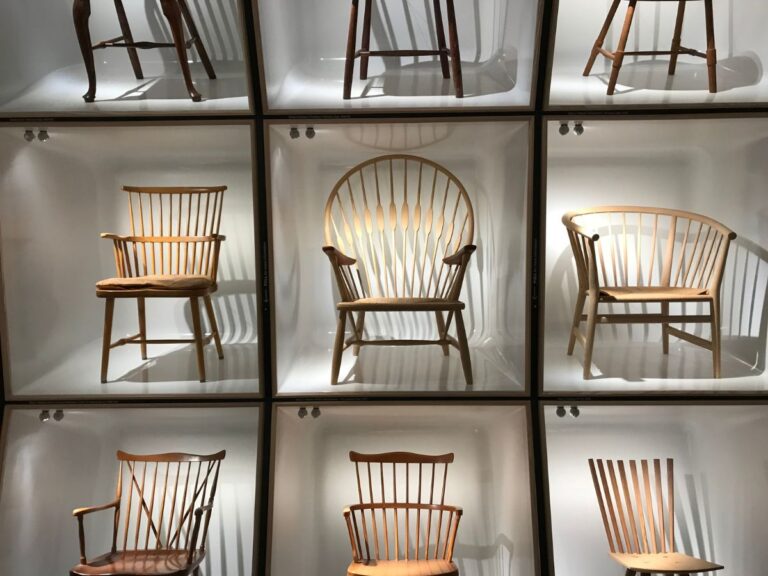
x,y
175,12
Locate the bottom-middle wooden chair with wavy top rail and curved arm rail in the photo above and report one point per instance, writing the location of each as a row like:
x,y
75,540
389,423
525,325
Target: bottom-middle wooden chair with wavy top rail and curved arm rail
x,y
412,536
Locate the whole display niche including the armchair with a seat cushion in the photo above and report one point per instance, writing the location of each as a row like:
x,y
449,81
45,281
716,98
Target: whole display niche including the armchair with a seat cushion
x,y
59,197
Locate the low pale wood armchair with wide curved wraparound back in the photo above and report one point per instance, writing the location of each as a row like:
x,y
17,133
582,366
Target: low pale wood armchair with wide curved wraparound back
x,y
650,256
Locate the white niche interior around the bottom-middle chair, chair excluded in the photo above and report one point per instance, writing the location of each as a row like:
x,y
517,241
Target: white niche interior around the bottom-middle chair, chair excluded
x,y
313,480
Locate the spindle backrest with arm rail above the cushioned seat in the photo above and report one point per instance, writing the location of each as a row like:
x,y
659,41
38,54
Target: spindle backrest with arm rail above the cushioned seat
x,y
173,231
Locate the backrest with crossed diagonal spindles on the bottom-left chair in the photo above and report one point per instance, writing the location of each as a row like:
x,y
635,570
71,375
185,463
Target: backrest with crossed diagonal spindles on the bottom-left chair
x,y
159,494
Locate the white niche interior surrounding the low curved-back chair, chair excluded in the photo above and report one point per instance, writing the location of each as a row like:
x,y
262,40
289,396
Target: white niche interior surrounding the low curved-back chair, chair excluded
x,y
710,166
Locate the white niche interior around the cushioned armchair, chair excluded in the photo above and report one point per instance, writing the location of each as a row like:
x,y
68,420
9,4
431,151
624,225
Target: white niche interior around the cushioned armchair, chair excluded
x,y
56,197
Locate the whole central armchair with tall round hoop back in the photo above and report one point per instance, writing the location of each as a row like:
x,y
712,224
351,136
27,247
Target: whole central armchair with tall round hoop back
x,y
398,233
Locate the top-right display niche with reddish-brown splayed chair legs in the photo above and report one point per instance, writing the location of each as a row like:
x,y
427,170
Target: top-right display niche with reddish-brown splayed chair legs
x,y
739,51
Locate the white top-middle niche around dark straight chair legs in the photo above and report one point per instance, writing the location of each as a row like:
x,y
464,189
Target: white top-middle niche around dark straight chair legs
x,y
305,69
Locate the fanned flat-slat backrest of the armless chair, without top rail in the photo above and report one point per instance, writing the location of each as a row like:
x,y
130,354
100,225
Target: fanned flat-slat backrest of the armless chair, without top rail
x,y
627,499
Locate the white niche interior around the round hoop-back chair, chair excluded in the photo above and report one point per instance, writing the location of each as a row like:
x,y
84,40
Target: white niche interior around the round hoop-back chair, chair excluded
x,y
494,170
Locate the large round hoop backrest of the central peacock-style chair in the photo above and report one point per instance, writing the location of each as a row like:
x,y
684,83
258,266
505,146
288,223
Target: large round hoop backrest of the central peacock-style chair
x,y
399,216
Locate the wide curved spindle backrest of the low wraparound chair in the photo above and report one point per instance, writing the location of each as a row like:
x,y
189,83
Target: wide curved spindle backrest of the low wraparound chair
x,y
640,246
